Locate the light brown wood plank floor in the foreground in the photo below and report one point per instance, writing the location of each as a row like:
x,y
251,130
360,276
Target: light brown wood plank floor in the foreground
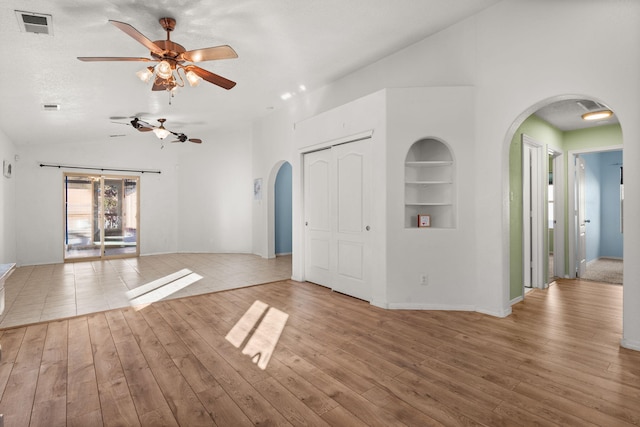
x,y
339,361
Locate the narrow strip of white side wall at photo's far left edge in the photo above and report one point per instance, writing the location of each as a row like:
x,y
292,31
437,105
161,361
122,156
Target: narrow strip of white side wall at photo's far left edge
x,y
8,207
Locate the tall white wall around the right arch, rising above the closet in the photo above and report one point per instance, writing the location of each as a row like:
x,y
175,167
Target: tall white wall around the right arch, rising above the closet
x,y
517,54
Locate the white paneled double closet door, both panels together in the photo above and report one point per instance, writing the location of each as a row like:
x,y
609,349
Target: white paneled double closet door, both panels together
x,y
337,218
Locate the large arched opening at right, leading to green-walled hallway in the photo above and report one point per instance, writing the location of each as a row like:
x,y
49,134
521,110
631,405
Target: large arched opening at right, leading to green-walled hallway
x,y
549,207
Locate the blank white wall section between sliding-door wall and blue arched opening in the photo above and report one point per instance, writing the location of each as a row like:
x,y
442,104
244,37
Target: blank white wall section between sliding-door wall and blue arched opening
x,y
215,194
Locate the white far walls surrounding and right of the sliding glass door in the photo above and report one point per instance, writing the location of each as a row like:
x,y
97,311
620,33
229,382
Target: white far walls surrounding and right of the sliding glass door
x,y
200,202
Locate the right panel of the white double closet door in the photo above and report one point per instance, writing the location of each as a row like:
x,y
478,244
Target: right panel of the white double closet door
x,y
350,243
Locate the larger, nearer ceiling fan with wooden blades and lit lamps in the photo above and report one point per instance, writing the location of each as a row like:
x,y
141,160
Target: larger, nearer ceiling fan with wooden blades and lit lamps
x,y
170,57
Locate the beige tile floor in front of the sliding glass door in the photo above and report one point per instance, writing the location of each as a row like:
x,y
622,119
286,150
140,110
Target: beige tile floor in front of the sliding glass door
x,y
46,292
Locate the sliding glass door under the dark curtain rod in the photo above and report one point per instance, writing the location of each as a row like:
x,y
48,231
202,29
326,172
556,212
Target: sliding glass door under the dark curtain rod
x,y
101,216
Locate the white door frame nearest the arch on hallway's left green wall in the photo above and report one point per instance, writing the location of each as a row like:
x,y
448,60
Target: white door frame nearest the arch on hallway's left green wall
x,y
532,213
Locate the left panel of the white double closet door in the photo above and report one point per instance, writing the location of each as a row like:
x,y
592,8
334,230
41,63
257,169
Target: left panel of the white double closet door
x,y
317,216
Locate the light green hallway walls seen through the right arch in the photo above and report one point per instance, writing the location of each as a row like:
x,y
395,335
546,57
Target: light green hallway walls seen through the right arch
x,y
543,132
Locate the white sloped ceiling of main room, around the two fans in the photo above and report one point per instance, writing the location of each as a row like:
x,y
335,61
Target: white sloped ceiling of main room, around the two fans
x,y
281,44
